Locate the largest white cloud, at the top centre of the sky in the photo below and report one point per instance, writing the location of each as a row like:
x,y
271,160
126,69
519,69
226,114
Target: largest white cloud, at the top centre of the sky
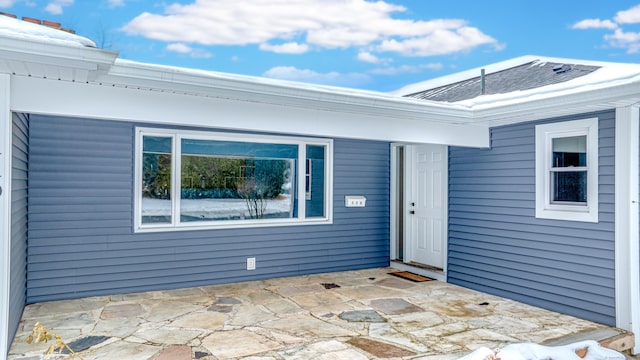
x,y
306,24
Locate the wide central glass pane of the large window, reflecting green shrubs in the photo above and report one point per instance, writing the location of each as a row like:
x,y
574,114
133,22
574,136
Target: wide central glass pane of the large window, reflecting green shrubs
x,y
223,180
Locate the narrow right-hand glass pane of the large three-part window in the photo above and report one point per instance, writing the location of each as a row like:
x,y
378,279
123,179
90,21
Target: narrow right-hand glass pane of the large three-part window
x,y
315,181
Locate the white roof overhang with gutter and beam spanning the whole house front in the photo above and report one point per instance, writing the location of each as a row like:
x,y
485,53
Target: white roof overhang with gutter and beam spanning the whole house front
x,y
47,76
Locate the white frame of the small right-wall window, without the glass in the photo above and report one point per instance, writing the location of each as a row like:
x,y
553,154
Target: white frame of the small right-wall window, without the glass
x,y
571,211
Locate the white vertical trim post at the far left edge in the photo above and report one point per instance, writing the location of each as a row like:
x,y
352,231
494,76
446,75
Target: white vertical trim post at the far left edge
x,y
5,212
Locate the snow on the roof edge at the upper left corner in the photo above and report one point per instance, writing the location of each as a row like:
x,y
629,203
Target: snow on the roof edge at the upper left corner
x,y
19,29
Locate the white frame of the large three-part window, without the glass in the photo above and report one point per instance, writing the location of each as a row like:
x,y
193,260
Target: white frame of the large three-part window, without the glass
x,y
176,165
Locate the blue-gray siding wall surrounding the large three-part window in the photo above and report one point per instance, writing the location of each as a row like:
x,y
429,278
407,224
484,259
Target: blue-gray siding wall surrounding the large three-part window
x,y
81,241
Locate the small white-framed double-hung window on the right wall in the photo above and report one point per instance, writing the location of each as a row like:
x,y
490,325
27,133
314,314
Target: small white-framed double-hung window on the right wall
x,y
567,170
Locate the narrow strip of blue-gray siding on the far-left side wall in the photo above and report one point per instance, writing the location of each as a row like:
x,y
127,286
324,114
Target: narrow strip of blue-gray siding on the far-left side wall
x,y
19,172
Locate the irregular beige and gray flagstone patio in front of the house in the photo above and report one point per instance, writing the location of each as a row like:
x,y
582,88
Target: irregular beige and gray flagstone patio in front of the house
x,y
365,314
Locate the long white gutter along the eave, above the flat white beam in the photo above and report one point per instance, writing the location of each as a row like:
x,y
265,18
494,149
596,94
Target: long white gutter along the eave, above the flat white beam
x,y
245,88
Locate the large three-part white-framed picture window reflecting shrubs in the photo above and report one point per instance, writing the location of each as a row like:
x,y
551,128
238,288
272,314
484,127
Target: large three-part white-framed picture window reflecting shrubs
x,y
187,180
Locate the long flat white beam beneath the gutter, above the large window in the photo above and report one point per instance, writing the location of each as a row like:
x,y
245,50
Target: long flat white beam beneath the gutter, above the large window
x,y
51,97
